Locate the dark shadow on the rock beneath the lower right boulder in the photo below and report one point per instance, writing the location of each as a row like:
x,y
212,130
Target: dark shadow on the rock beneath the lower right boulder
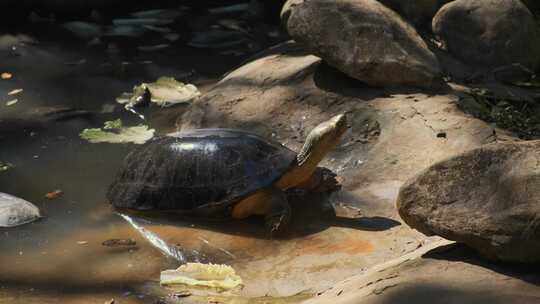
x,y
462,253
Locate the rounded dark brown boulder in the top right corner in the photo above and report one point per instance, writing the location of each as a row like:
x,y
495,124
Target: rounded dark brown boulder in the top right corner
x,y
489,33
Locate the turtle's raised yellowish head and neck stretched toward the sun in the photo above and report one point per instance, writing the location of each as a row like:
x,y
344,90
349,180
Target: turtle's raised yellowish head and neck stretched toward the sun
x,y
323,138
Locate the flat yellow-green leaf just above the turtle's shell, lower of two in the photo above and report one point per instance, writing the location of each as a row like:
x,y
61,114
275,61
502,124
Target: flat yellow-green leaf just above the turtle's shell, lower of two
x,y
118,133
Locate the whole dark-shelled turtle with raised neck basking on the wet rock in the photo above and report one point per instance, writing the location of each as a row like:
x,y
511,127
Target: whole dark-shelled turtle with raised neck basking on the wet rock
x,y
223,173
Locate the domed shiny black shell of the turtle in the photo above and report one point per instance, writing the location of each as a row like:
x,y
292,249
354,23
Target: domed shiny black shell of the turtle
x,y
204,171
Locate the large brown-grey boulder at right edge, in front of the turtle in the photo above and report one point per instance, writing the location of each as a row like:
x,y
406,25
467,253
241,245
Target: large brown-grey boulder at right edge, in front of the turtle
x,y
487,198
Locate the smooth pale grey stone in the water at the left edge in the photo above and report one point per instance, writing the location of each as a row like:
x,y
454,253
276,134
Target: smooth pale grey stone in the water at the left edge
x,y
15,211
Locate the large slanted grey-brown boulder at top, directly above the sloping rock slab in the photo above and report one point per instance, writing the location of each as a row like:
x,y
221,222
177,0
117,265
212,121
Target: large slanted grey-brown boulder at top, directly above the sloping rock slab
x,y
365,40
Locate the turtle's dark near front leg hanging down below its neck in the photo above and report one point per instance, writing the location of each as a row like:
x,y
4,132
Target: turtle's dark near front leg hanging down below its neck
x,y
278,214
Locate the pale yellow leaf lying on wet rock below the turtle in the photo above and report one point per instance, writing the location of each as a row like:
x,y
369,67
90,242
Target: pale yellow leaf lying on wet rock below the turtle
x,y
220,277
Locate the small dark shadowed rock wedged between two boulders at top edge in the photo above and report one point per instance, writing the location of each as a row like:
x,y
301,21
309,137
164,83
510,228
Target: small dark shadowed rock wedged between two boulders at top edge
x,y
418,12
